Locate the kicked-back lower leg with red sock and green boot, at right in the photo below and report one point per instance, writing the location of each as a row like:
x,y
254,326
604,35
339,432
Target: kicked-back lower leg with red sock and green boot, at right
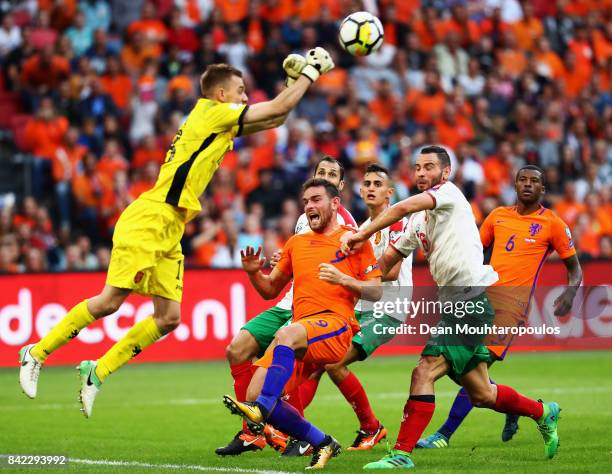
x,y
505,399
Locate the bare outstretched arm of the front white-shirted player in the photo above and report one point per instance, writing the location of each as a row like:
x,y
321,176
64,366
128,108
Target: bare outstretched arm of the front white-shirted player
x,y
416,203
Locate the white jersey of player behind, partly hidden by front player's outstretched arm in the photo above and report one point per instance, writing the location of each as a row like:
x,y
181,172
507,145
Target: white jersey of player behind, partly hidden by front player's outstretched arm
x,y
380,241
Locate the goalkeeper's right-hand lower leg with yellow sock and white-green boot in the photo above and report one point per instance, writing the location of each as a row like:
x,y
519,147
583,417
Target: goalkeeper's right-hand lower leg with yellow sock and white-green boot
x,y
166,317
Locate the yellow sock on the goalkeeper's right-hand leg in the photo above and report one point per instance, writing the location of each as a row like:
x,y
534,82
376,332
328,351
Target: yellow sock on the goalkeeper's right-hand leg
x,y
142,335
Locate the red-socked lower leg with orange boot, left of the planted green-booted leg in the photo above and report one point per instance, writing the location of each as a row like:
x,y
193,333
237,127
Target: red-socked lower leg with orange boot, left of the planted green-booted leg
x,y
371,431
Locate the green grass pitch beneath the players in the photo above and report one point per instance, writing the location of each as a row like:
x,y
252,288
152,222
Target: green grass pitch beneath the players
x,y
172,413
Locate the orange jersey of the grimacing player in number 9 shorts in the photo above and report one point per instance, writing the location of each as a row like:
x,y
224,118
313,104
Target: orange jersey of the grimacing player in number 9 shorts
x,y
301,257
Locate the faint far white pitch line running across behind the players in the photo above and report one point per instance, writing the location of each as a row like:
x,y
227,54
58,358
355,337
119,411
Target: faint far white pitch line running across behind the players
x,y
326,398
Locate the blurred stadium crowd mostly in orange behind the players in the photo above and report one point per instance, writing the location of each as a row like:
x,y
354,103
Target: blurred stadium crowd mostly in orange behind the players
x,y
95,90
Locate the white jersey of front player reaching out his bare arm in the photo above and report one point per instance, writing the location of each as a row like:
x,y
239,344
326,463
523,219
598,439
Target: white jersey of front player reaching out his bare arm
x,y
450,240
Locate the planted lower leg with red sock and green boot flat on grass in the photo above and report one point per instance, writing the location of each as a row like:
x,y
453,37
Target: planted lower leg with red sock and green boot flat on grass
x,y
418,412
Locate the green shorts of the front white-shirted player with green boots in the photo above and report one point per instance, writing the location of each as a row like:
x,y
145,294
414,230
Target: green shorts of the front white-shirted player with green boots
x,y
463,353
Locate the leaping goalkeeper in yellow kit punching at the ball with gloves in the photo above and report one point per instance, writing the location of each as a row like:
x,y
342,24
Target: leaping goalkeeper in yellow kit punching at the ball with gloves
x,y
147,258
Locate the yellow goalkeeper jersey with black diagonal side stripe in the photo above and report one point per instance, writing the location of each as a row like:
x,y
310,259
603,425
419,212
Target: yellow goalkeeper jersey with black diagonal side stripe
x,y
195,154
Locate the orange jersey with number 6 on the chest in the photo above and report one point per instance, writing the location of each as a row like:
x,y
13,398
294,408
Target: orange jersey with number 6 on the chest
x,y
521,243
